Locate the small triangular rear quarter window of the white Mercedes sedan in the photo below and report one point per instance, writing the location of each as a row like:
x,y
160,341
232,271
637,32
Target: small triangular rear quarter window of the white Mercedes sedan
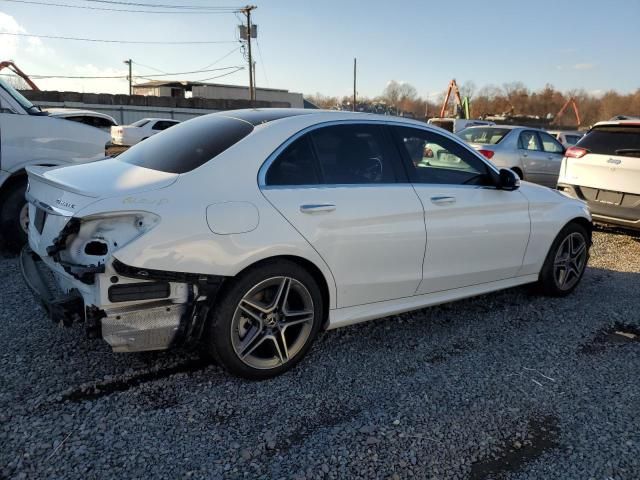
x,y
296,165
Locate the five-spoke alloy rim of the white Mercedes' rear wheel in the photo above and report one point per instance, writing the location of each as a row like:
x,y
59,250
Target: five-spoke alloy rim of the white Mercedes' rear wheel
x,y
272,322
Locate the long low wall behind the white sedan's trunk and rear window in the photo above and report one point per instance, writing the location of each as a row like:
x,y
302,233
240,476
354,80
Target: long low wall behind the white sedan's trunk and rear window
x,y
128,109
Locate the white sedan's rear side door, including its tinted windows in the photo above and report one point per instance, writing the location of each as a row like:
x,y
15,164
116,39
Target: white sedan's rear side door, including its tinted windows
x,y
343,188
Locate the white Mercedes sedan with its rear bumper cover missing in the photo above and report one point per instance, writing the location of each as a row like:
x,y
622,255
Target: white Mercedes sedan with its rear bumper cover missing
x,y
249,231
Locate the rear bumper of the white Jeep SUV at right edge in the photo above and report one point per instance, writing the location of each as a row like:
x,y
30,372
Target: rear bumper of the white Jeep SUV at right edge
x,y
608,207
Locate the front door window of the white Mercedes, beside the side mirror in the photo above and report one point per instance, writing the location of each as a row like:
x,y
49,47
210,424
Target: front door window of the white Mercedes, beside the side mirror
x,y
433,158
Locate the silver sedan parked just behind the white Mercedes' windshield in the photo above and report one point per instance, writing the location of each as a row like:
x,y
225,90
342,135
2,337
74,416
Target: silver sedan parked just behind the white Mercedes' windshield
x,y
531,153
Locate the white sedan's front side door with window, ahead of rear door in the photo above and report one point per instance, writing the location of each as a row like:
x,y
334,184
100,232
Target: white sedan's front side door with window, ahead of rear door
x,y
475,233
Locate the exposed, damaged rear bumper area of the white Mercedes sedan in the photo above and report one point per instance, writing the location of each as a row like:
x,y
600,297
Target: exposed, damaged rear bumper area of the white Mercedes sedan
x,y
132,309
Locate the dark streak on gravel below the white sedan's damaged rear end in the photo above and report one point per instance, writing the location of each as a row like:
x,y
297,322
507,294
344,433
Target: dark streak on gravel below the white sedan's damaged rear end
x,y
101,389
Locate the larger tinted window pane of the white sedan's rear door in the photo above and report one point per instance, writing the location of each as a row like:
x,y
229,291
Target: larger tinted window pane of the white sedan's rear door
x,y
354,154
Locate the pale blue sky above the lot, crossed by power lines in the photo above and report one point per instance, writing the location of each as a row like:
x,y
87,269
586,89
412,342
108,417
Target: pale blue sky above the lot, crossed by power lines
x,y
309,46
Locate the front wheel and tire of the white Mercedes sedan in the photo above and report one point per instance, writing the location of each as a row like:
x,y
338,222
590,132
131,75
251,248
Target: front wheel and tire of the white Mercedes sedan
x,y
572,257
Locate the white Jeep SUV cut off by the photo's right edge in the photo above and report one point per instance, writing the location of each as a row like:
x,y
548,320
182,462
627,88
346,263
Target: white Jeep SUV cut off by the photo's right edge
x,y
603,169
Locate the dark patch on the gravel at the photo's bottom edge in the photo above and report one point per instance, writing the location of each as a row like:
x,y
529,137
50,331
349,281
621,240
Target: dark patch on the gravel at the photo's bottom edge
x,y
543,437
